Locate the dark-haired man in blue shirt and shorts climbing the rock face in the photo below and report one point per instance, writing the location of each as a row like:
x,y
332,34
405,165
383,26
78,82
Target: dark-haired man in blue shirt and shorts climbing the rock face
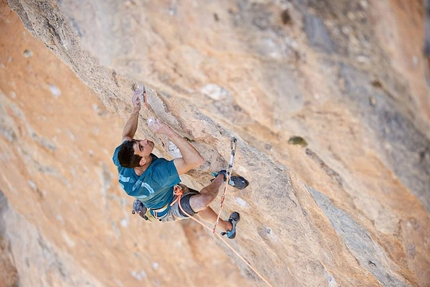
x,y
152,180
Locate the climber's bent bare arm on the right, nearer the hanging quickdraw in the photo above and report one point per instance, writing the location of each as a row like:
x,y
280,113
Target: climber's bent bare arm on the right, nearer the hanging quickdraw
x,y
190,159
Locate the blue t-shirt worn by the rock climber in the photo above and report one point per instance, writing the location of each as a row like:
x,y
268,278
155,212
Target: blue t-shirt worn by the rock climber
x,y
154,187
